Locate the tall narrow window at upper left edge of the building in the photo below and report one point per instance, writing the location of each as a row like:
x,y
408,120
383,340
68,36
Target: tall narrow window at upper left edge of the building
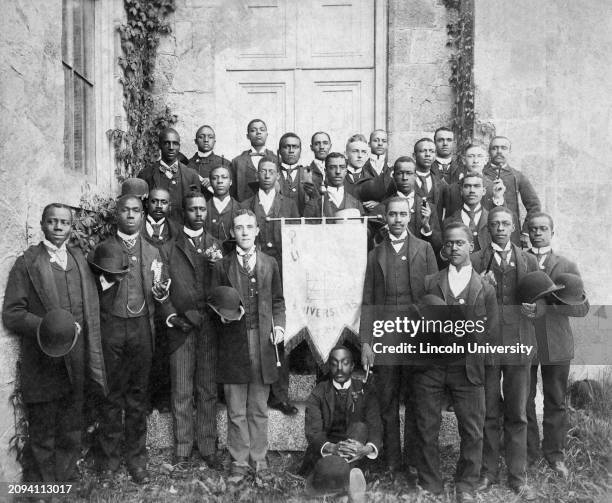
x,y
78,62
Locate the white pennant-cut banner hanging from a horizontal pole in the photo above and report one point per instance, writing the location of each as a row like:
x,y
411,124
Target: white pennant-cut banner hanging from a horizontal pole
x,y
323,272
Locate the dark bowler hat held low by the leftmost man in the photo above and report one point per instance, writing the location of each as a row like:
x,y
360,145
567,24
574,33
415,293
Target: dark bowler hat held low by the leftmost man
x,y
57,333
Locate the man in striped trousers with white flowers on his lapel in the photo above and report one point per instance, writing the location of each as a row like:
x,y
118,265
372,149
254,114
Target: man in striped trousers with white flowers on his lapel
x,y
191,338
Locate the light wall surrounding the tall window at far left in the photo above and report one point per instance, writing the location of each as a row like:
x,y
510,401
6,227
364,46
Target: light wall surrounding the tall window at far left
x,y
32,172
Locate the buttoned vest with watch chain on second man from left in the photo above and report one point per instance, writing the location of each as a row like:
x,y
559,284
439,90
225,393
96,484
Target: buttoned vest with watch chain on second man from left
x,y
130,300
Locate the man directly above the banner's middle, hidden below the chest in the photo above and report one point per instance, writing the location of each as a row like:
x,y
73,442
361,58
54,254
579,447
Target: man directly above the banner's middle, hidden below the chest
x,y
335,197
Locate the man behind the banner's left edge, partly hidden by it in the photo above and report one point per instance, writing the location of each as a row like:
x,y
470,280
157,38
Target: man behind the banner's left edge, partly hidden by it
x,y
269,203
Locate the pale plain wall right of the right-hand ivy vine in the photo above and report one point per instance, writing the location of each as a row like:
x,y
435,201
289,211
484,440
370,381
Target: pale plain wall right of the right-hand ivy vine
x,y
542,73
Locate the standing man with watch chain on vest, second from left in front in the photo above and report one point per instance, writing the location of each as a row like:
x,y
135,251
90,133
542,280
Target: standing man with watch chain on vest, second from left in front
x,y
127,310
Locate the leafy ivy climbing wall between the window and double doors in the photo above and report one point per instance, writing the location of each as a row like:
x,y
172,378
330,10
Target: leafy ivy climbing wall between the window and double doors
x,y
140,35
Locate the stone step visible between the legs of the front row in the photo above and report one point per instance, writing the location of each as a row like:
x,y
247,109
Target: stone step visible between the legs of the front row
x,y
285,433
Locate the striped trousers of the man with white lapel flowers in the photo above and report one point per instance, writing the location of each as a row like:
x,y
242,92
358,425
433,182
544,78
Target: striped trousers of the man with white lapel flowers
x,y
192,366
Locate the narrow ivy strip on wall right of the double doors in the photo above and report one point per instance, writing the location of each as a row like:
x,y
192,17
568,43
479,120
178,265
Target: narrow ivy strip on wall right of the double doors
x,y
461,40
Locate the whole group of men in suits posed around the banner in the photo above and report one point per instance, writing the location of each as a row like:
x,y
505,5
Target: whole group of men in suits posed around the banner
x,y
448,233
